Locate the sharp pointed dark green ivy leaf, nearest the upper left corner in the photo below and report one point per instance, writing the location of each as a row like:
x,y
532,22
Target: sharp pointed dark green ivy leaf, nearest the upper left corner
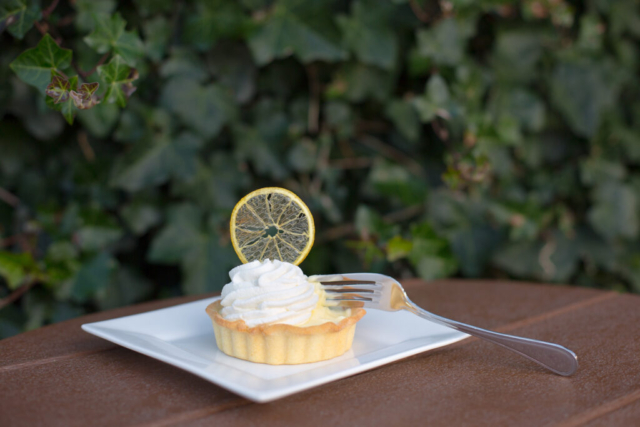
x,y
35,66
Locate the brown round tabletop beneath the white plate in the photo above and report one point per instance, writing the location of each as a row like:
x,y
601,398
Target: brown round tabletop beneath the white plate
x,y
60,375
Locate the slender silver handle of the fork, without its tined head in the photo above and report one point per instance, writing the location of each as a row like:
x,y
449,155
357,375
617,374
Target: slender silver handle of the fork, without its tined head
x,y
554,357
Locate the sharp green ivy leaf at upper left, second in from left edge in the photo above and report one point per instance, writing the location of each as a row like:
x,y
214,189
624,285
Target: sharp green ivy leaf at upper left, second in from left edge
x,y
109,34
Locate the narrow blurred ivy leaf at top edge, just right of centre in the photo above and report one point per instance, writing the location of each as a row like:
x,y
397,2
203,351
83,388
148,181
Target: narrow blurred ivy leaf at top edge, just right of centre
x,y
368,34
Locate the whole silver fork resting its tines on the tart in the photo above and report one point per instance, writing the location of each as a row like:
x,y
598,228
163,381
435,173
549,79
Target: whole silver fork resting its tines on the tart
x,y
381,292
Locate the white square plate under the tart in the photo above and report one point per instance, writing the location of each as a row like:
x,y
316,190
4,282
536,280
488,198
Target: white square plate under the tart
x,y
183,336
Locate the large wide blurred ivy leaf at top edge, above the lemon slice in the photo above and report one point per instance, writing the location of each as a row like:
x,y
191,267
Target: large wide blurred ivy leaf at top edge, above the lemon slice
x,y
297,27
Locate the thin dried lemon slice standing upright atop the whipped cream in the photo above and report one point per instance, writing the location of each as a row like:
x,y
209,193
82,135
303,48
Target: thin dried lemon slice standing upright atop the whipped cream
x,y
272,223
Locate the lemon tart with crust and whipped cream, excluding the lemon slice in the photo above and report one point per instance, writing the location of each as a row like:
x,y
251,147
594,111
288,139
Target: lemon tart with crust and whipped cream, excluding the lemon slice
x,y
271,313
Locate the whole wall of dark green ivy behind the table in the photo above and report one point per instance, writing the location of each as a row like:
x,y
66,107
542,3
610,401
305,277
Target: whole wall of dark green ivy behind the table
x,y
482,138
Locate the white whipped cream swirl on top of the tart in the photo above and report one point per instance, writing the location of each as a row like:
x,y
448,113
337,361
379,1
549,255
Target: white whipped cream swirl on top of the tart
x,y
268,292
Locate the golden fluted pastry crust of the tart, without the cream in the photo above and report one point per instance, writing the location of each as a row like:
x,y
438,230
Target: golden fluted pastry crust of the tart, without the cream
x,y
279,344
